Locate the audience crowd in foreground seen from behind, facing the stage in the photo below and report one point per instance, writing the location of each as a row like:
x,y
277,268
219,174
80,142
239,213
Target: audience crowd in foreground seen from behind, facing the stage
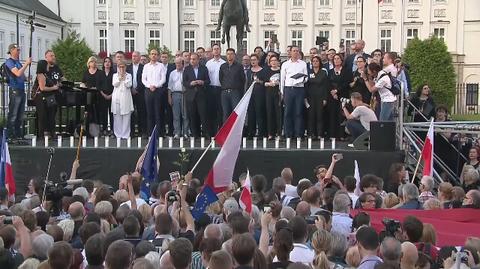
x,y
322,223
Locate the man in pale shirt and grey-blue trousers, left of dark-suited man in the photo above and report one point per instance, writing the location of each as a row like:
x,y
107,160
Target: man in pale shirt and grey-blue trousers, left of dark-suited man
x,y
175,91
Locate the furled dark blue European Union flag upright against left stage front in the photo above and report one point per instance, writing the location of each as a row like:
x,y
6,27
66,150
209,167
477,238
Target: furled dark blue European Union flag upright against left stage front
x,y
149,169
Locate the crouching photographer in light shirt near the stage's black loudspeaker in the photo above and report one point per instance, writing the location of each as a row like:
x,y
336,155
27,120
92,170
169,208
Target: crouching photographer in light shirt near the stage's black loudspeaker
x,y
359,120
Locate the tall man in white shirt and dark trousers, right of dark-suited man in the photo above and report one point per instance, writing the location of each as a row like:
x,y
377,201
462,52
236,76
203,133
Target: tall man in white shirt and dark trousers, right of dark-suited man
x,y
215,89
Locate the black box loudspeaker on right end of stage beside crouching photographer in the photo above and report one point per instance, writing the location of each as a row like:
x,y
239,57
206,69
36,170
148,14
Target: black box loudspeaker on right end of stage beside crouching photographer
x,y
382,135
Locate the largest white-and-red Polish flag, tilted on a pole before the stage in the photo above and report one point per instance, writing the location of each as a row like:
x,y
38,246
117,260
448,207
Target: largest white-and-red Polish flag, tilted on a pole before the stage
x,y
229,137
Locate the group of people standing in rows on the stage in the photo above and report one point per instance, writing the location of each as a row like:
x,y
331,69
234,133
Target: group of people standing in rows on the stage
x,y
328,95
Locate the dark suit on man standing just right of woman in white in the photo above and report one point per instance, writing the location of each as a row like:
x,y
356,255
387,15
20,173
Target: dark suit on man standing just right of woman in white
x,y
140,115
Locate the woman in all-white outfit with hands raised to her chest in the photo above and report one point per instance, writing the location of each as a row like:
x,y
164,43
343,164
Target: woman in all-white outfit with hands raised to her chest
x,y
122,102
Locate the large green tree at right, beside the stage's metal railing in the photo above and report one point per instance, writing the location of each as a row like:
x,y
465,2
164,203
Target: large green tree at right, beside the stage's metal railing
x,y
431,63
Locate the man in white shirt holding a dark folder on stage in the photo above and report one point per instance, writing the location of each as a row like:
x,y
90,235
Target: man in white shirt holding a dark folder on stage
x,y
293,92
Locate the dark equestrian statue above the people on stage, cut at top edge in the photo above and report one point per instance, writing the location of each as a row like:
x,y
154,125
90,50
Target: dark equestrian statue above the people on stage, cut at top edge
x,y
233,12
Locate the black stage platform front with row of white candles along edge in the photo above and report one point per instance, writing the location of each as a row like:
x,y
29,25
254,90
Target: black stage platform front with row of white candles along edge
x,y
109,163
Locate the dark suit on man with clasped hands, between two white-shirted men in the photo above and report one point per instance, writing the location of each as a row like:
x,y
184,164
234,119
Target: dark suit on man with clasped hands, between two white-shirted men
x,y
196,99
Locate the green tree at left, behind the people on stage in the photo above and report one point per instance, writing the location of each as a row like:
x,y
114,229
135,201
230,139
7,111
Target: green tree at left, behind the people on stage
x,y
72,54
